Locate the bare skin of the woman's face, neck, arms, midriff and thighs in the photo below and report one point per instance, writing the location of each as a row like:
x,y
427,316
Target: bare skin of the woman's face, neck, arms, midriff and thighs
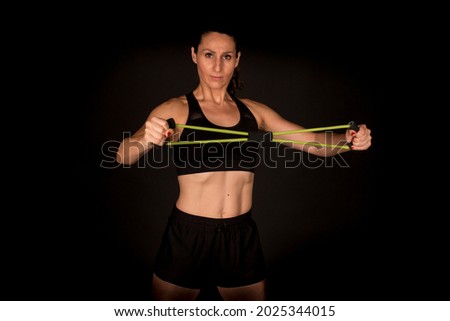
x,y
216,58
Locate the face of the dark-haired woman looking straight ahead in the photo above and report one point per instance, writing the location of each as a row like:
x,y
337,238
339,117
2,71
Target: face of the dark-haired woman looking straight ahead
x,y
216,59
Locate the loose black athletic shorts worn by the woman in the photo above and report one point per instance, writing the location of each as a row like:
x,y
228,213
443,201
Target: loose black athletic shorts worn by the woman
x,y
199,251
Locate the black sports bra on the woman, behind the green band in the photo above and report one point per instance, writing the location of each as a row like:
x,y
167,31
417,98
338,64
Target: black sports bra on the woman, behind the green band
x,y
229,156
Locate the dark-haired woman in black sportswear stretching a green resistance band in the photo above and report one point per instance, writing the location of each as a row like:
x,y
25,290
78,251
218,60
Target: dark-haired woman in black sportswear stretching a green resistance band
x,y
211,238
